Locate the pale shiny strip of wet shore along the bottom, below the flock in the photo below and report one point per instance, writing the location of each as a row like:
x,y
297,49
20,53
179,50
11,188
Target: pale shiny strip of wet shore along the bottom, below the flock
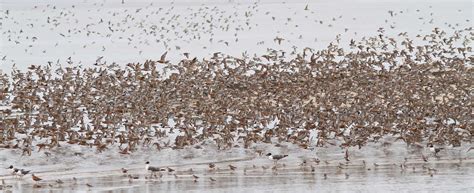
x,y
437,175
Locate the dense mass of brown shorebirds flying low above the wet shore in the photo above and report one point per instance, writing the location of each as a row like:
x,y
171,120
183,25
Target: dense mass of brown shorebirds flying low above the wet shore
x,y
419,91
